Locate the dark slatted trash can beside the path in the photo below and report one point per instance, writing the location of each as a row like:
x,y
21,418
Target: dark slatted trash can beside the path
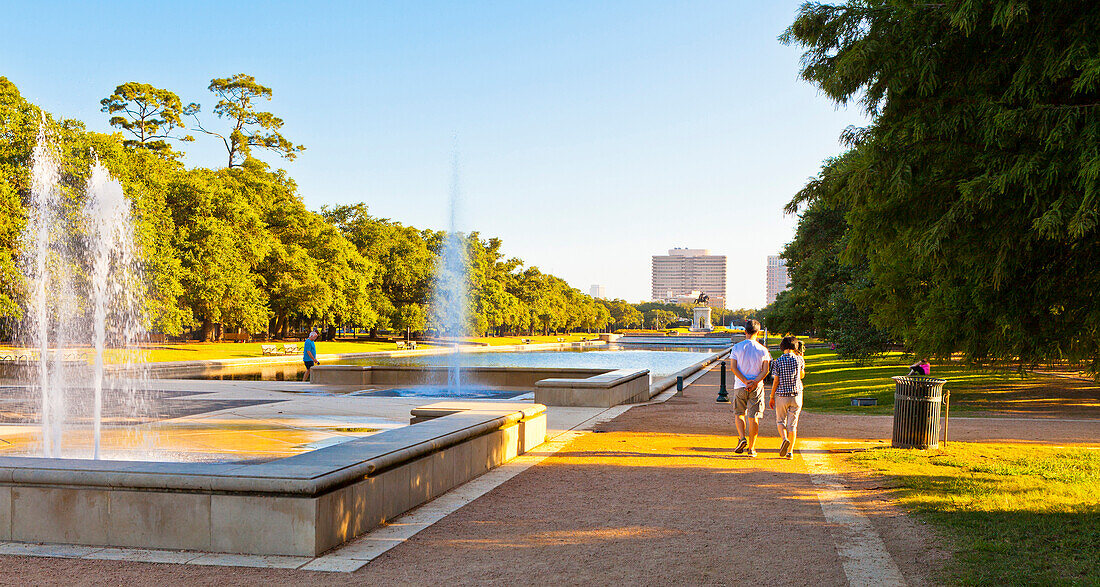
x,y
917,412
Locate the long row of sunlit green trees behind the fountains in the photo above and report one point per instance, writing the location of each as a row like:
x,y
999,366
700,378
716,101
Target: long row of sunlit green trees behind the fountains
x,y
237,248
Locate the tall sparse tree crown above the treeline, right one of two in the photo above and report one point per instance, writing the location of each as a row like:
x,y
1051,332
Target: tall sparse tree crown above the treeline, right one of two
x,y
249,128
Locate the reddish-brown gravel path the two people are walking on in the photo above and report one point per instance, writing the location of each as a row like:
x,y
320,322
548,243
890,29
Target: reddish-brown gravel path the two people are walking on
x,y
655,497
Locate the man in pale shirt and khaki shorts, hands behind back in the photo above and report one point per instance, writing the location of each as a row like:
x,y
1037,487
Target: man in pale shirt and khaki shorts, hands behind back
x,y
751,364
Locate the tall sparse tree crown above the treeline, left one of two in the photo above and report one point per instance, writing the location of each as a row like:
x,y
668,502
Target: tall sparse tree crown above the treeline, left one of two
x,y
149,115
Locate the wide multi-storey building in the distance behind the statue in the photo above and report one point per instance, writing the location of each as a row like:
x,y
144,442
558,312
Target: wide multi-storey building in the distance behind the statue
x,y
687,271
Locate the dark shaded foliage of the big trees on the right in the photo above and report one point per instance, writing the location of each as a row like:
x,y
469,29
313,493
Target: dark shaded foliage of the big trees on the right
x,y
971,204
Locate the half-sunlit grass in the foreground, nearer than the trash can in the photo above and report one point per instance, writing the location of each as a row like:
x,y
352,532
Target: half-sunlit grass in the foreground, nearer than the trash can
x,y
1014,514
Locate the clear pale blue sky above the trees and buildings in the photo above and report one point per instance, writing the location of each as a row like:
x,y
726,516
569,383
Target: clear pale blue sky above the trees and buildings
x,y
591,135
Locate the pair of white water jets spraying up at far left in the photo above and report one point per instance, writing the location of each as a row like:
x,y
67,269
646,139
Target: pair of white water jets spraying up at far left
x,y
54,256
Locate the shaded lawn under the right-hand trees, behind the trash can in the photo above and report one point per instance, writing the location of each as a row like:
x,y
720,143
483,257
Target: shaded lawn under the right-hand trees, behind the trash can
x,y
832,383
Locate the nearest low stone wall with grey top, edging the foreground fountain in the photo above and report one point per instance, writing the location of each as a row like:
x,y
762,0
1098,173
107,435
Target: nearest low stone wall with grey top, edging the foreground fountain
x,y
302,505
